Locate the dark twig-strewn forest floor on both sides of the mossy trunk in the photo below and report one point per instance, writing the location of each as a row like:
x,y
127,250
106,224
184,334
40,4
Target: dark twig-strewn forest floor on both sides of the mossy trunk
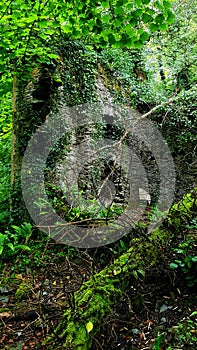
x,y
152,315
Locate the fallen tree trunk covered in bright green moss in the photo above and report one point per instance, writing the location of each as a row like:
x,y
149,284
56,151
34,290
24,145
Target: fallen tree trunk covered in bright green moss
x,y
96,297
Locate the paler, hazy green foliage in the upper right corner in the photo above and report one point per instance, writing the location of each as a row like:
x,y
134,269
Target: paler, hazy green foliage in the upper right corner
x,y
171,56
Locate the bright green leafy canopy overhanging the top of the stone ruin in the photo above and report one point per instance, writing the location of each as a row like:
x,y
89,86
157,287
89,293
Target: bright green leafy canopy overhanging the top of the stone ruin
x,y
29,27
